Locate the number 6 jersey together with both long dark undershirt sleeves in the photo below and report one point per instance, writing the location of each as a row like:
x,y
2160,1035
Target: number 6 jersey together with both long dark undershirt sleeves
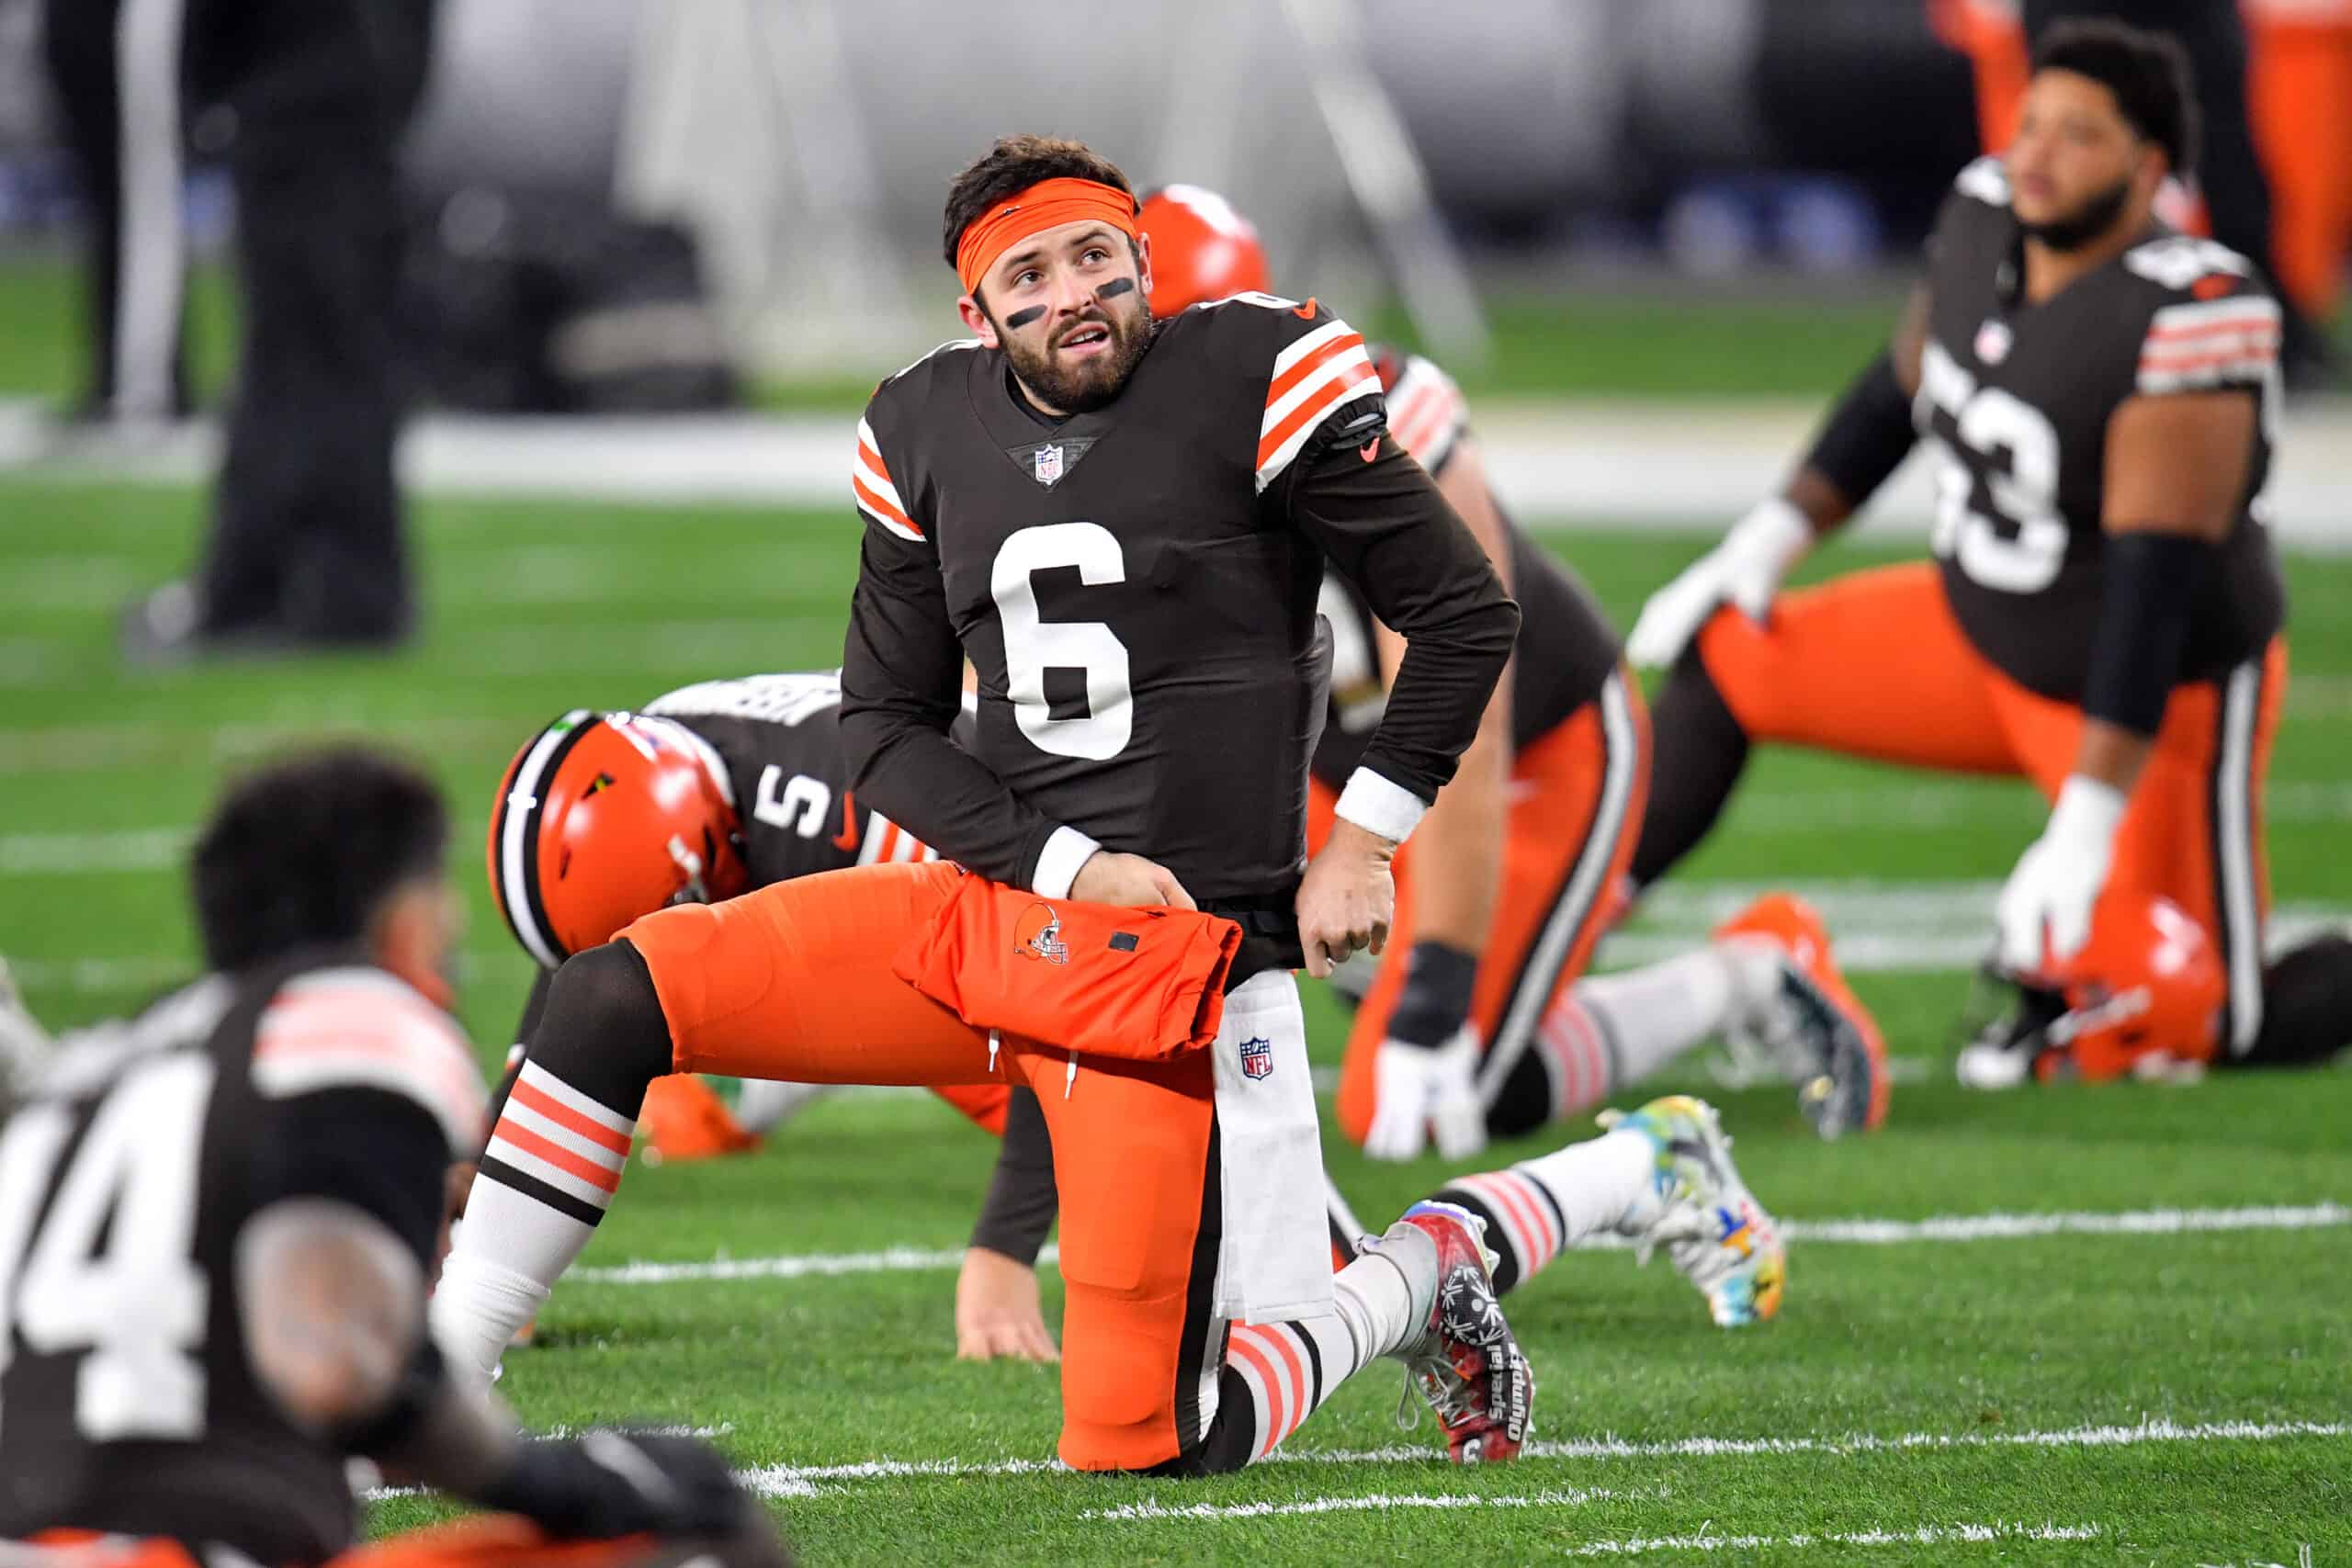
x,y
1137,589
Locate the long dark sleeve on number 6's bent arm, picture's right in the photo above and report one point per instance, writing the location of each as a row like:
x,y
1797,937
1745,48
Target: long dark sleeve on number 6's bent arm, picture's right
x,y
1396,537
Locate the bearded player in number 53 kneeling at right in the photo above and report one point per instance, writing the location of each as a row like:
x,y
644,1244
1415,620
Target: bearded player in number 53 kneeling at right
x,y
2104,610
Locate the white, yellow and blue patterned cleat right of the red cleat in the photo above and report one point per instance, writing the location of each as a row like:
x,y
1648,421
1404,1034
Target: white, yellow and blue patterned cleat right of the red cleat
x,y
1713,1228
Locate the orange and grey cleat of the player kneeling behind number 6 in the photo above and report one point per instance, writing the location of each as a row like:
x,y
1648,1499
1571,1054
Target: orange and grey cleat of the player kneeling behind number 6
x,y
1822,1033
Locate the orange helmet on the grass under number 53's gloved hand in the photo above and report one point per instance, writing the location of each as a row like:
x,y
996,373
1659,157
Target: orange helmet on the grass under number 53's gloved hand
x,y
2146,989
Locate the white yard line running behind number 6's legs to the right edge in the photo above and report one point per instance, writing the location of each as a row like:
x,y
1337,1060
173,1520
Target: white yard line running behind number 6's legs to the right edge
x,y
1822,1233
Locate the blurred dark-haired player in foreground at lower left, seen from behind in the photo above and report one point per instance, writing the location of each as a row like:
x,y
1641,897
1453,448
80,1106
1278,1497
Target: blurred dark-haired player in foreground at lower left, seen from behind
x,y
220,1224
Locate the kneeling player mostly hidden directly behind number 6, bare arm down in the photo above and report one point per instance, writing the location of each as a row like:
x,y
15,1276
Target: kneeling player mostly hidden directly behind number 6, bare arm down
x,y
1481,1021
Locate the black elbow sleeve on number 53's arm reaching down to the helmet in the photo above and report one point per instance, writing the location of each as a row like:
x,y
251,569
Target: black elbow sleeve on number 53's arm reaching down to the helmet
x,y
2149,587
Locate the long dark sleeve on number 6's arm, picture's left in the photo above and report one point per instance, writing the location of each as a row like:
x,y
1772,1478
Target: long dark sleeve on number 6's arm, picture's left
x,y
902,690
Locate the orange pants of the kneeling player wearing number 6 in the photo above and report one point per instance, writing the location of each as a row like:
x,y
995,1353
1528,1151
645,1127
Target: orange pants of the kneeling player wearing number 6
x,y
794,981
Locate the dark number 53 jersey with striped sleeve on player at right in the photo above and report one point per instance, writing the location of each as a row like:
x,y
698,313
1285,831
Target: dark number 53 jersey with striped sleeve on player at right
x,y
2019,396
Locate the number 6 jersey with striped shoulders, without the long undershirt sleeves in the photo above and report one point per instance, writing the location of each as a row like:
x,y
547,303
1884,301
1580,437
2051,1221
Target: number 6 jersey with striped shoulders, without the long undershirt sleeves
x,y
1130,584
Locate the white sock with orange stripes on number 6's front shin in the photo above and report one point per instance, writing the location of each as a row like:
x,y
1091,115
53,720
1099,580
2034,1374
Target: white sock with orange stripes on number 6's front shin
x,y
547,1179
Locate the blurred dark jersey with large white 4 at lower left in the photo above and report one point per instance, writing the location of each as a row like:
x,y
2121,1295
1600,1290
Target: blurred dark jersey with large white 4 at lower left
x,y
128,1400
